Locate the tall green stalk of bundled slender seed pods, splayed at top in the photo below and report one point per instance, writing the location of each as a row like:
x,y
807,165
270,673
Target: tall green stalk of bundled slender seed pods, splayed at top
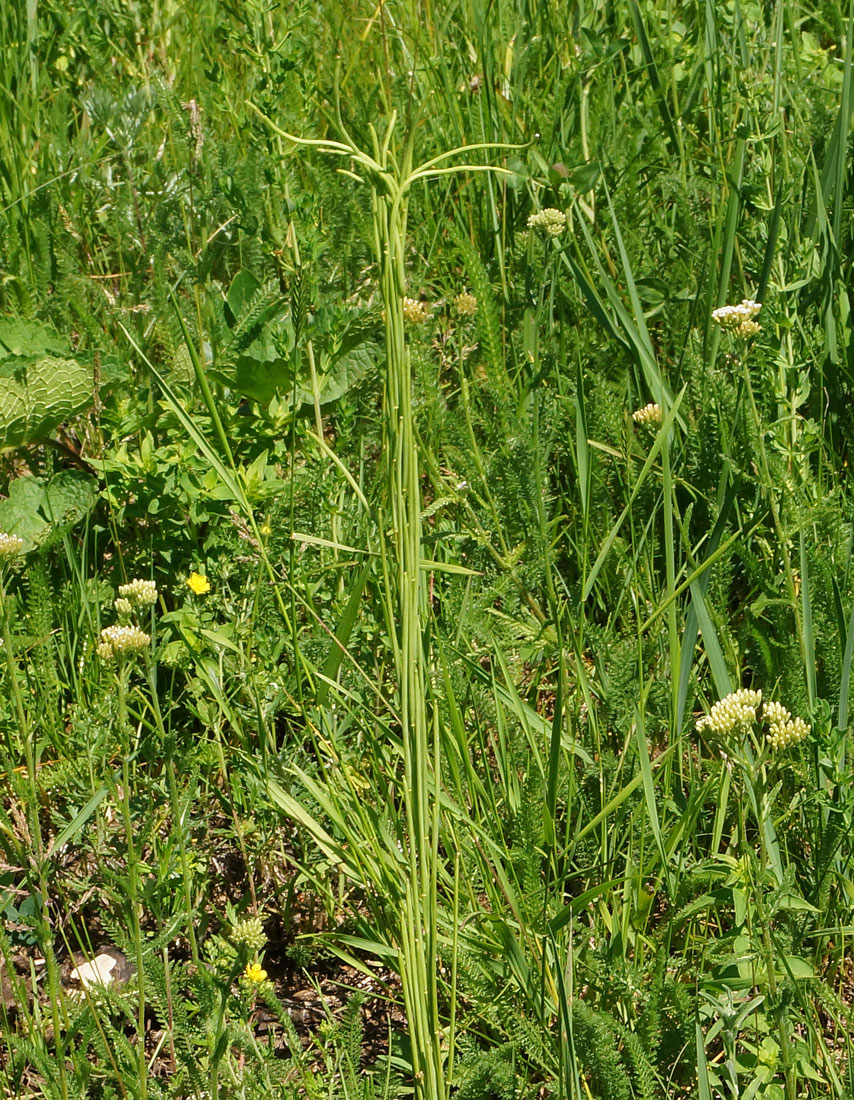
x,y
391,179
